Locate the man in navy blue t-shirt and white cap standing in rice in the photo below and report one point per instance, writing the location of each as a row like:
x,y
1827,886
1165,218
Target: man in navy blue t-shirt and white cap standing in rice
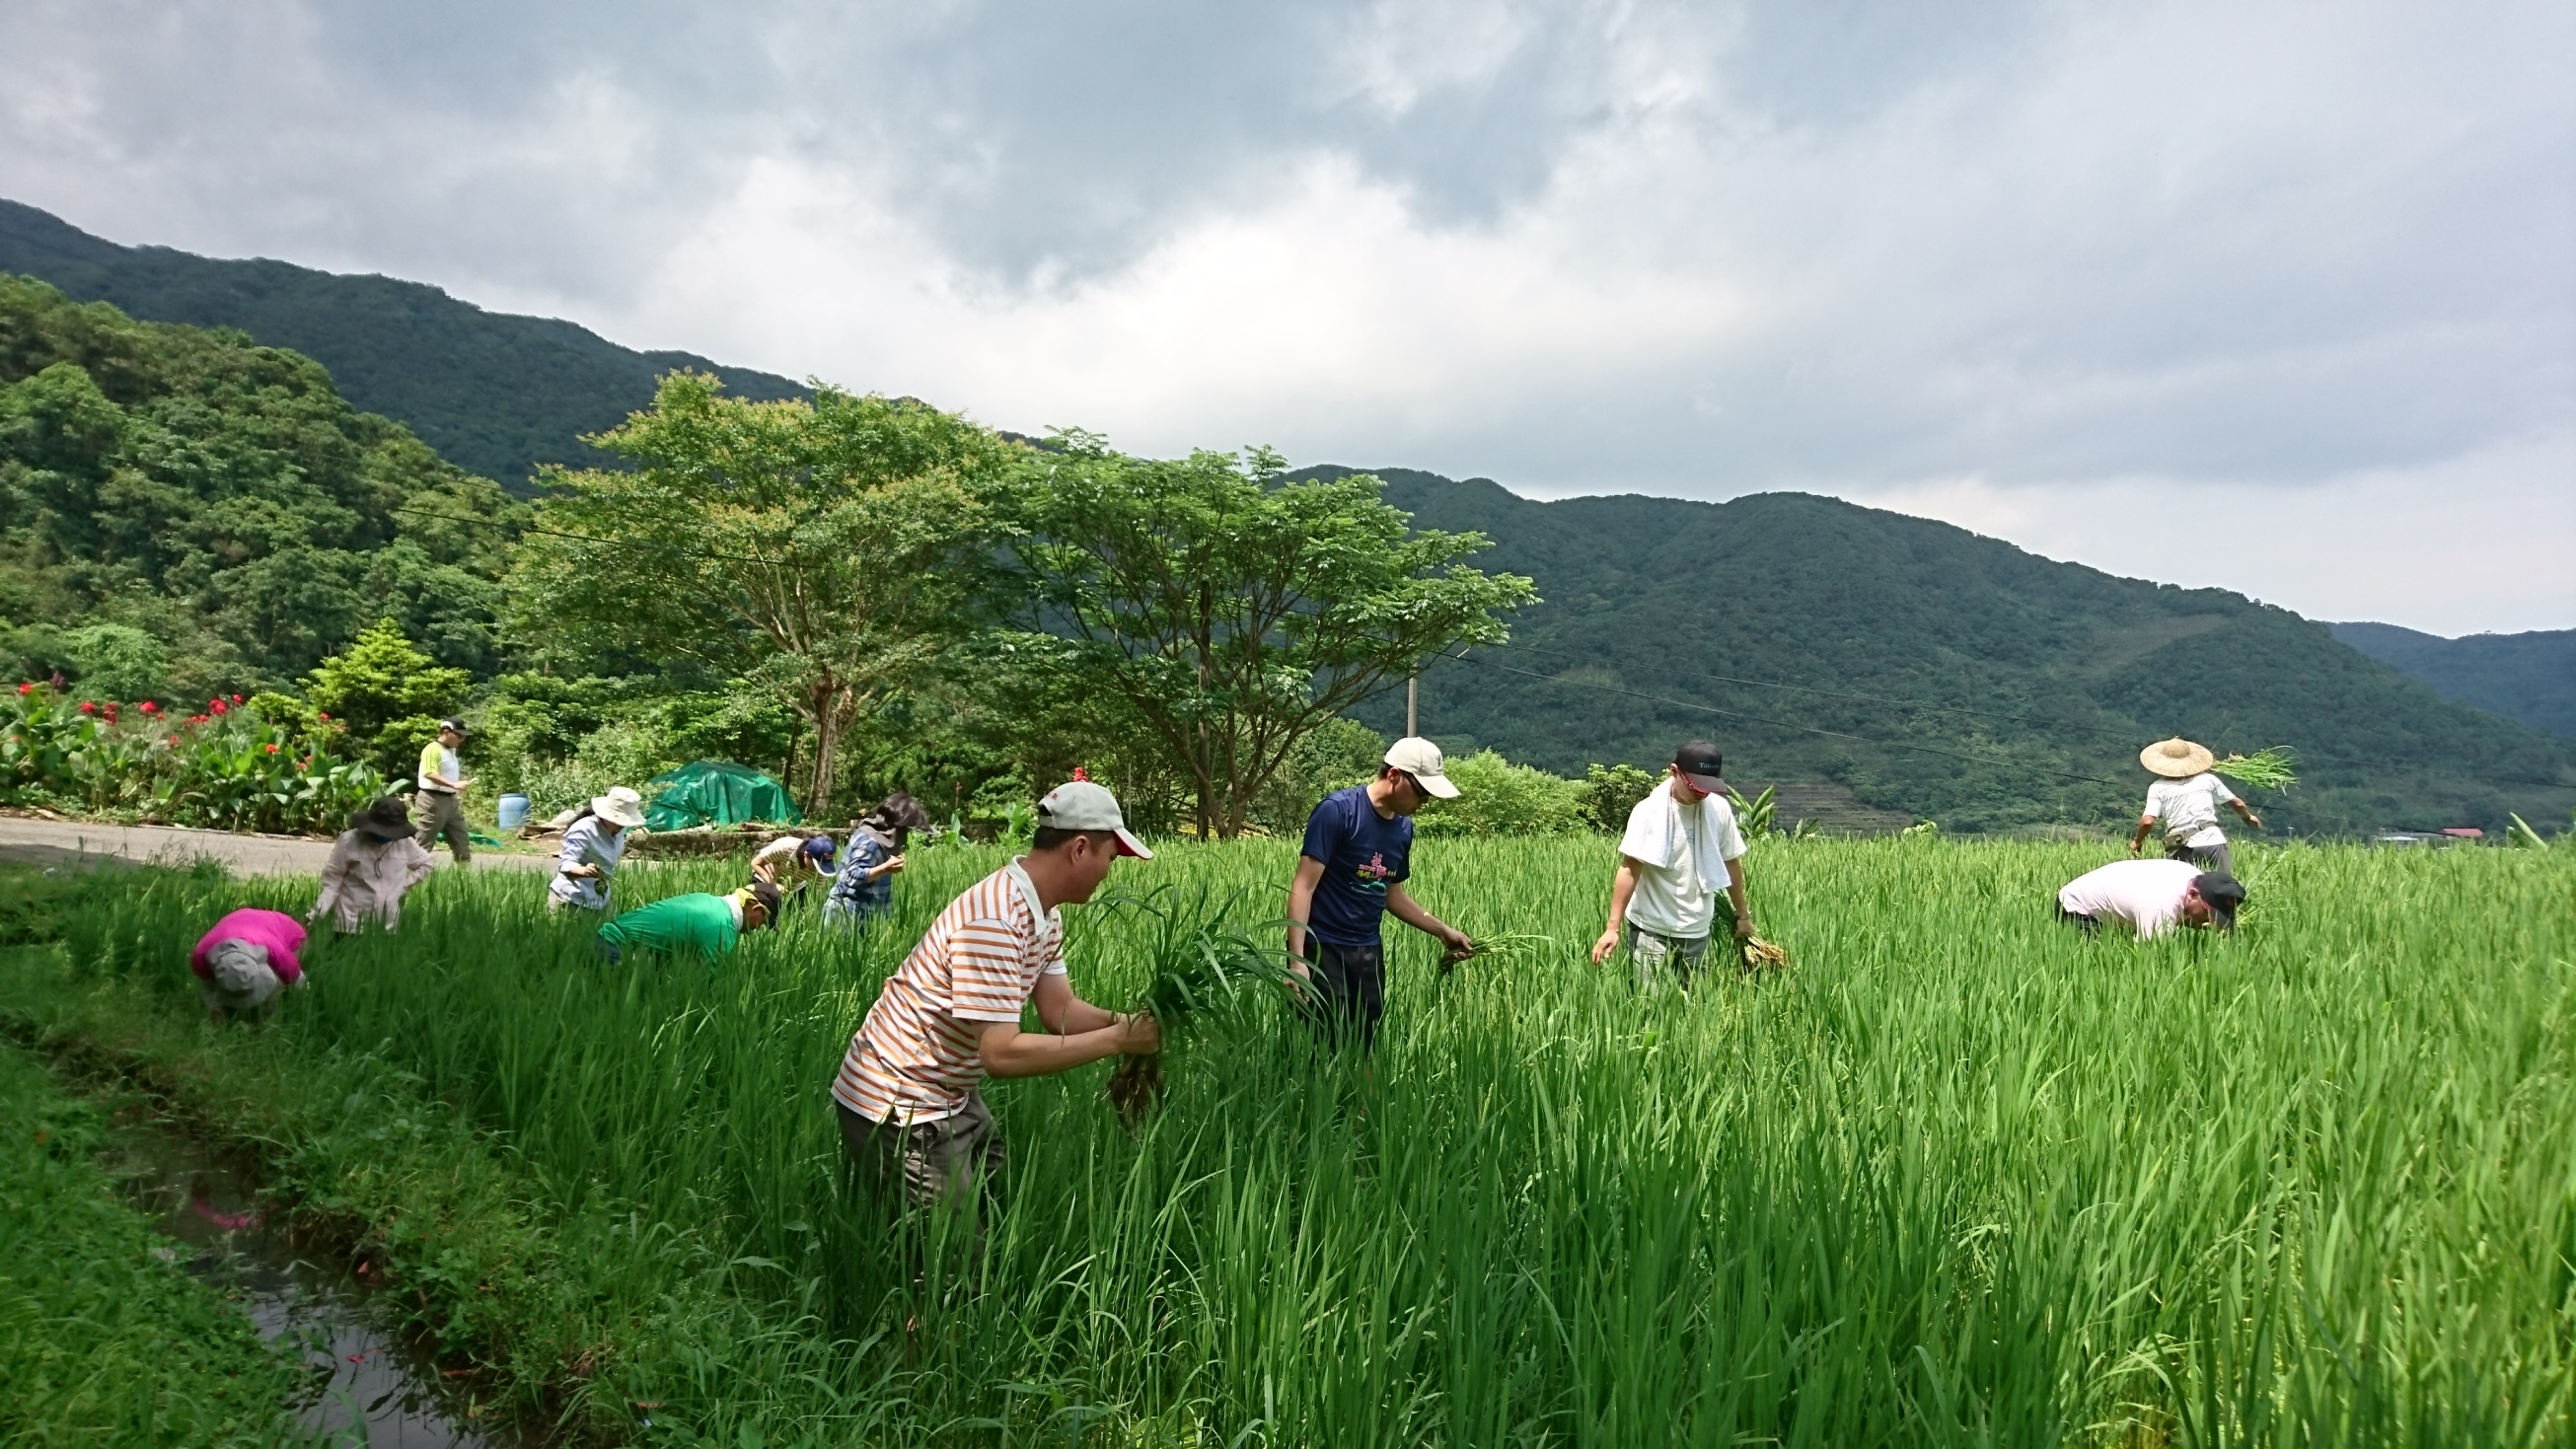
x,y
1354,866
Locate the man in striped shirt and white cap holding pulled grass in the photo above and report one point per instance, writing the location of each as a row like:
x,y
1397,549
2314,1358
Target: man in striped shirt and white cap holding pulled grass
x,y
952,1015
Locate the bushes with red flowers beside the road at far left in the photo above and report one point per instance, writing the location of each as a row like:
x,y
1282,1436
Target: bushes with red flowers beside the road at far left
x,y
223,768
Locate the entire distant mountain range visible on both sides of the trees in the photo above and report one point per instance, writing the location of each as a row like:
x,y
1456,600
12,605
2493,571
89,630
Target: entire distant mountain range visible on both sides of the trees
x,y
1877,668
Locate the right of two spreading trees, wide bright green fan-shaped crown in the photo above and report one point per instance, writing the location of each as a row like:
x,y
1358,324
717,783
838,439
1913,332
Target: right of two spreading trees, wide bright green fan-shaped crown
x,y
1235,611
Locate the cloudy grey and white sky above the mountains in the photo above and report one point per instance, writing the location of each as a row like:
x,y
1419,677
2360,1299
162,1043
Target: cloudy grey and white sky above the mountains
x,y
2273,297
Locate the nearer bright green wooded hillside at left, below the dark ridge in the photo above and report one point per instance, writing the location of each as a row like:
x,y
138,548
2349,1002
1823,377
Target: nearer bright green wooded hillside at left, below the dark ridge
x,y
189,513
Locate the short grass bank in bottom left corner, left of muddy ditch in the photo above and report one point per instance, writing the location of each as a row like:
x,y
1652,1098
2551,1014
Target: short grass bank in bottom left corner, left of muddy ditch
x,y
104,1340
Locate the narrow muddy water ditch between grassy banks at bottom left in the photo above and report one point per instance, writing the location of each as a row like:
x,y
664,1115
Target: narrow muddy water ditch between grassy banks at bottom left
x,y
377,1386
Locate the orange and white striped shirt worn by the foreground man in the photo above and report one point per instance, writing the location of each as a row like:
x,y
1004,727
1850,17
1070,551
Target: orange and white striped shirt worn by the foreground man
x,y
916,1054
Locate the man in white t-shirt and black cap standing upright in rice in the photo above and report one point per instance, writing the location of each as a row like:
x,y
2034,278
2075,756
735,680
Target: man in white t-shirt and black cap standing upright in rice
x,y
1678,853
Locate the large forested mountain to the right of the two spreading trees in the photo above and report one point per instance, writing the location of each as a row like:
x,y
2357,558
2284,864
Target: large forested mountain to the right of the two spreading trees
x,y
2049,676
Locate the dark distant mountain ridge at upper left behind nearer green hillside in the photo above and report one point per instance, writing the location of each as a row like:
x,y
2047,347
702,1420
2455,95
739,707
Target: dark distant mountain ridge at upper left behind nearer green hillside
x,y
493,392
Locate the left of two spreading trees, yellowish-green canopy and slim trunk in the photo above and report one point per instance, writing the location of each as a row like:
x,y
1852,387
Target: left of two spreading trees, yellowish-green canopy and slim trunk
x,y
820,549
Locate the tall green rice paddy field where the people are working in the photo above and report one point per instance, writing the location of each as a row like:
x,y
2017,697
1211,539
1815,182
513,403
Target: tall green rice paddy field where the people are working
x,y
1956,1177
